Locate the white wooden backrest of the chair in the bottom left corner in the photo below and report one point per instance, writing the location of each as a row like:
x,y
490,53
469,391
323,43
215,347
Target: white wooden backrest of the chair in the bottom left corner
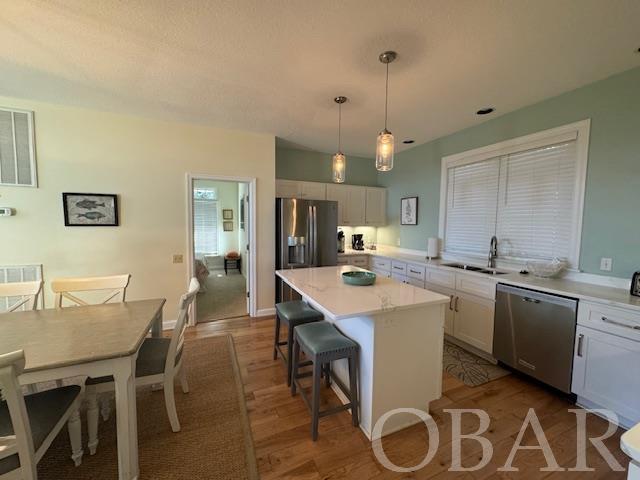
x,y
12,365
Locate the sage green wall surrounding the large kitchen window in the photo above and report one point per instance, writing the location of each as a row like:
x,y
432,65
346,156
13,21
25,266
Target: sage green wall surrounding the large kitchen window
x,y
611,224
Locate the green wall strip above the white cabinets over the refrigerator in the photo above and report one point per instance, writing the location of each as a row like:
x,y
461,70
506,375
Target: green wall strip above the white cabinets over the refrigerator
x,y
314,166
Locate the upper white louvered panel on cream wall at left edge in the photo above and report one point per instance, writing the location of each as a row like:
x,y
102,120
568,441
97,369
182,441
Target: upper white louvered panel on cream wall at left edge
x,y
17,165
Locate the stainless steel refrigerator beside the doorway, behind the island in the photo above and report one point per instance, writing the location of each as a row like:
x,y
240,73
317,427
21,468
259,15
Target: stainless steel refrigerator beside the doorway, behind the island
x,y
306,236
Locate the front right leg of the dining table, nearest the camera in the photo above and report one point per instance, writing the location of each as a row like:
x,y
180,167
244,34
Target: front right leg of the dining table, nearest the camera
x,y
126,417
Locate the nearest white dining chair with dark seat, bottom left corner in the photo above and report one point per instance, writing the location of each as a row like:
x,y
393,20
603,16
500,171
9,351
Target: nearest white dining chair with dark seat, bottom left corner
x,y
28,424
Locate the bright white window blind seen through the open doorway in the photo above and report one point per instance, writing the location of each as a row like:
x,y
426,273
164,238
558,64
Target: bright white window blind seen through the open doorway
x,y
205,222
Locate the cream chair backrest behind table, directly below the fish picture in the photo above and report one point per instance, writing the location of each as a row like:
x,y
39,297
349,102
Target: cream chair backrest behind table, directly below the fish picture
x,y
64,288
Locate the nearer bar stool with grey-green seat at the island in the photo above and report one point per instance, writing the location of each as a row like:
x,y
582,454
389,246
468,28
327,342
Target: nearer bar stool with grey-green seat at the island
x,y
322,343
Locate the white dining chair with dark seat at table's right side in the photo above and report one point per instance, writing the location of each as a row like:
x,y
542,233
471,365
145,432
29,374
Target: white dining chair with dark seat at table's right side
x,y
159,362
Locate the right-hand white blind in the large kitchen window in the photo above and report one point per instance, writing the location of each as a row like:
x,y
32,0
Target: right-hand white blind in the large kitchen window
x,y
536,209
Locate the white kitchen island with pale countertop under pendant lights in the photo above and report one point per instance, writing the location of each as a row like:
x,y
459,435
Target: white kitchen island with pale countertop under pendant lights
x,y
400,330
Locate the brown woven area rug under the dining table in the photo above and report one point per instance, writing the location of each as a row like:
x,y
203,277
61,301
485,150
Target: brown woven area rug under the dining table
x,y
214,443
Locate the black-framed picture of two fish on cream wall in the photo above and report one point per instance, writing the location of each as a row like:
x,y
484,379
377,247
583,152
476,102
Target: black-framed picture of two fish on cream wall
x,y
90,209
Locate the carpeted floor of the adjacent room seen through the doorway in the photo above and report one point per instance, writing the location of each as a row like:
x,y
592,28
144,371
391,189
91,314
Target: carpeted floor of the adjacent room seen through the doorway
x,y
225,296
